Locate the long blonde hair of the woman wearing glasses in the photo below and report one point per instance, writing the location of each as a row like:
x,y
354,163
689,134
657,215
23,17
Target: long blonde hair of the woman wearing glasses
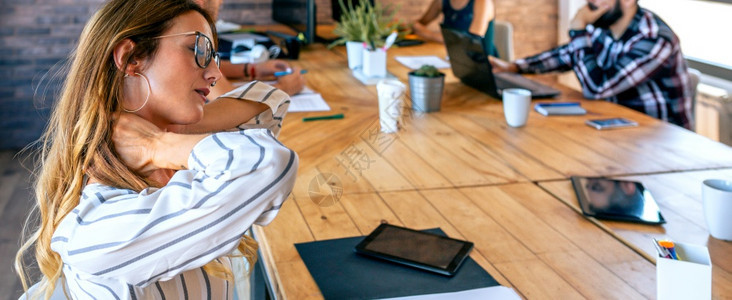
x,y
77,141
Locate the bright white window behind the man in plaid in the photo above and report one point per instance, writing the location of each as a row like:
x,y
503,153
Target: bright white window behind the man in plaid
x,y
702,28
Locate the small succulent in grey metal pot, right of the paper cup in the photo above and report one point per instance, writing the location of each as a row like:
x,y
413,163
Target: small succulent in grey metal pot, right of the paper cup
x,y
426,86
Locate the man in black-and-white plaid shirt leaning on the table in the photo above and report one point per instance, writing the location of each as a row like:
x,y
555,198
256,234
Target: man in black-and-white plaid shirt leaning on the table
x,y
622,53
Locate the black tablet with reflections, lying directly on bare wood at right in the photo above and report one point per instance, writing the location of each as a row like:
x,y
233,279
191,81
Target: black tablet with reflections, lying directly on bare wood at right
x,y
613,199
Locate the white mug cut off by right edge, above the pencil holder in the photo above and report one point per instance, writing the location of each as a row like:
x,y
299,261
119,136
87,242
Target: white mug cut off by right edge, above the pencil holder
x,y
717,198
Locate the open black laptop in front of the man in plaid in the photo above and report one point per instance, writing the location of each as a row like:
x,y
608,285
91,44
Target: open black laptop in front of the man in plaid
x,y
470,63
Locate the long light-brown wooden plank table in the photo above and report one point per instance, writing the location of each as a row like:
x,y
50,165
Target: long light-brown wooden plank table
x,y
505,189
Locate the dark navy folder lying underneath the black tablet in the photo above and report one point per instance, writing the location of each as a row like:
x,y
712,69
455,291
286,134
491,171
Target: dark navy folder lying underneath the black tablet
x,y
342,274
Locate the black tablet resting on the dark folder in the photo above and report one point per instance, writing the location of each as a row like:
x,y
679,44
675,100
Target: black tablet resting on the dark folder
x,y
427,251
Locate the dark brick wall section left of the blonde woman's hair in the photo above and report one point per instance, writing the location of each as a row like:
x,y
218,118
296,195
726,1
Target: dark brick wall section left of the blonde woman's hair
x,y
35,37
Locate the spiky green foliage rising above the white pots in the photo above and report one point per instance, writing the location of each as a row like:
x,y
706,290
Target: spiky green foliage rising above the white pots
x,y
365,23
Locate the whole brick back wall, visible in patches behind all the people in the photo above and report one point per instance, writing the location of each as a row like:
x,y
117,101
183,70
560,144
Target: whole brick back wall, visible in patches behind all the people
x,y
37,35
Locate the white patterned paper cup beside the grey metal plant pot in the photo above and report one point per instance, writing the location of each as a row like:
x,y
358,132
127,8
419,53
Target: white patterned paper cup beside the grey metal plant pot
x,y
391,99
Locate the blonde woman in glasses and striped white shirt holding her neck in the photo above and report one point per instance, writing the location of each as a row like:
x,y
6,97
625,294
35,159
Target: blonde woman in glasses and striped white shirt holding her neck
x,y
144,190
